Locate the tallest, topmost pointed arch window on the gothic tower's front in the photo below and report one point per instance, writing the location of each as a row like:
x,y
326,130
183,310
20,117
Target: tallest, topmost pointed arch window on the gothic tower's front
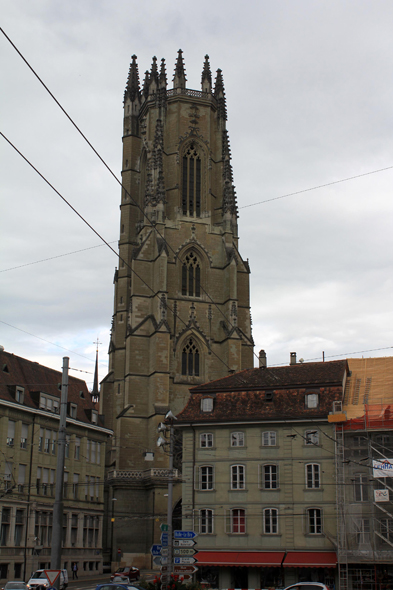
x,y
191,185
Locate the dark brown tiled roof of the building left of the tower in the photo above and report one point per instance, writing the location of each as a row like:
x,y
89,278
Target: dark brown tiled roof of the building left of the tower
x,y
35,378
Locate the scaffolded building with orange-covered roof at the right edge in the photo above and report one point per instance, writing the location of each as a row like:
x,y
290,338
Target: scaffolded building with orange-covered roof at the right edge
x,y
365,476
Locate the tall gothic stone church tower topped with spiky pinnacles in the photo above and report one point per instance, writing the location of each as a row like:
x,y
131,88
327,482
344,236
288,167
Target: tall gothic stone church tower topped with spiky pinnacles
x,y
181,305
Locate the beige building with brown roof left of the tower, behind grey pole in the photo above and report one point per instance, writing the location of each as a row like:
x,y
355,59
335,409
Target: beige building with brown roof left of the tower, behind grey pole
x,y
29,423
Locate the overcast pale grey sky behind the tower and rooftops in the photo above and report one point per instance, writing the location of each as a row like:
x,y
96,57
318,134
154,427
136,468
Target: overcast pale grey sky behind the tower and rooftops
x,y
309,88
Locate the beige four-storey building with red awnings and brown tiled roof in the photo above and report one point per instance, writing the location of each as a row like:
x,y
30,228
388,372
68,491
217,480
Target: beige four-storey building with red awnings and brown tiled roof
x,y
259,474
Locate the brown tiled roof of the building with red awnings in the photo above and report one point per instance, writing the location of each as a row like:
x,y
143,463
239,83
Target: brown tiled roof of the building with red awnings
x,y
244,397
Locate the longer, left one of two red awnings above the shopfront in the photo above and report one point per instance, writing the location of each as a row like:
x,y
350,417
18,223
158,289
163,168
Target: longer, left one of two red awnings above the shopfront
x,y
247,558
